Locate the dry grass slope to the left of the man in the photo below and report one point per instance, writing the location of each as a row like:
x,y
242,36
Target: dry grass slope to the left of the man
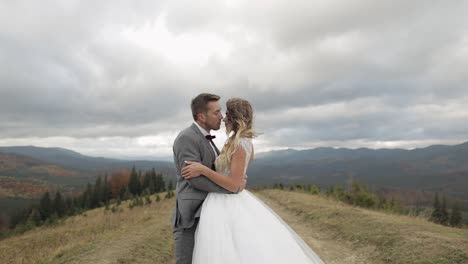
x,y
138,235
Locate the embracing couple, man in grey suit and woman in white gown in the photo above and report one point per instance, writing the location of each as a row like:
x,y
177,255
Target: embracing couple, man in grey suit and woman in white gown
x,y
215,219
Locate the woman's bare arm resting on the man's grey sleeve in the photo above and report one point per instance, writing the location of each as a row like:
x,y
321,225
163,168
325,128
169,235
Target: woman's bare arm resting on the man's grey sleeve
x,y
231,183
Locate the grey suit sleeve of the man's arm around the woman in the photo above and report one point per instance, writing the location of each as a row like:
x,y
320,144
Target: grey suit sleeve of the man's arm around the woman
x,y
186,149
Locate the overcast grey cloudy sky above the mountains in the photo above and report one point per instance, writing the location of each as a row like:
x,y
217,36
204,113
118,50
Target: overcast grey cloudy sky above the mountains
x,y
115,78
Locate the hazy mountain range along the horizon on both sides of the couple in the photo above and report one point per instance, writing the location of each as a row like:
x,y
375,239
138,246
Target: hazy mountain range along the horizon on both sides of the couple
x,y
437,168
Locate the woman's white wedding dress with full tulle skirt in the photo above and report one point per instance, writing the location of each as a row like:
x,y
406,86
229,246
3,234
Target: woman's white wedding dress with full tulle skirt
x,y
240,228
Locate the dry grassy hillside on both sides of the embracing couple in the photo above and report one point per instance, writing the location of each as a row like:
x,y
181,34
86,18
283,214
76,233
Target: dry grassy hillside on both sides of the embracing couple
x,y
339,233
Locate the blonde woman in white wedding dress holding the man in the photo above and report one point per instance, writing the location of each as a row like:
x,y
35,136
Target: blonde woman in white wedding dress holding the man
x,y
241,228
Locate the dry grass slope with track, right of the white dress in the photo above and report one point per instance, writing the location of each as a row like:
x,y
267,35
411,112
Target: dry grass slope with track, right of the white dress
x,y
369,236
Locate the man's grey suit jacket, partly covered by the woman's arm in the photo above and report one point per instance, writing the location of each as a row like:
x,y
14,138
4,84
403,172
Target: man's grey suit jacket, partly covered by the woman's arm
x,y
191,145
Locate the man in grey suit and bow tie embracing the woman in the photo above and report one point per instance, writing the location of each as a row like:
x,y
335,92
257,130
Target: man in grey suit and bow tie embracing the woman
x,y
195,144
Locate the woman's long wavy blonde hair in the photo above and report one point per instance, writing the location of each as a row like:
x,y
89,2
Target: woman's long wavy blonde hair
x,y
239,120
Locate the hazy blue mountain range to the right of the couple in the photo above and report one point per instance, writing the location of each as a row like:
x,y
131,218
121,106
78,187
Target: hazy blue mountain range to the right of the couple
x,y
437,168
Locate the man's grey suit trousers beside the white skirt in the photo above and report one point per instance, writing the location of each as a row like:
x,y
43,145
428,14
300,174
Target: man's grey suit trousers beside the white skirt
x,y
184,242
